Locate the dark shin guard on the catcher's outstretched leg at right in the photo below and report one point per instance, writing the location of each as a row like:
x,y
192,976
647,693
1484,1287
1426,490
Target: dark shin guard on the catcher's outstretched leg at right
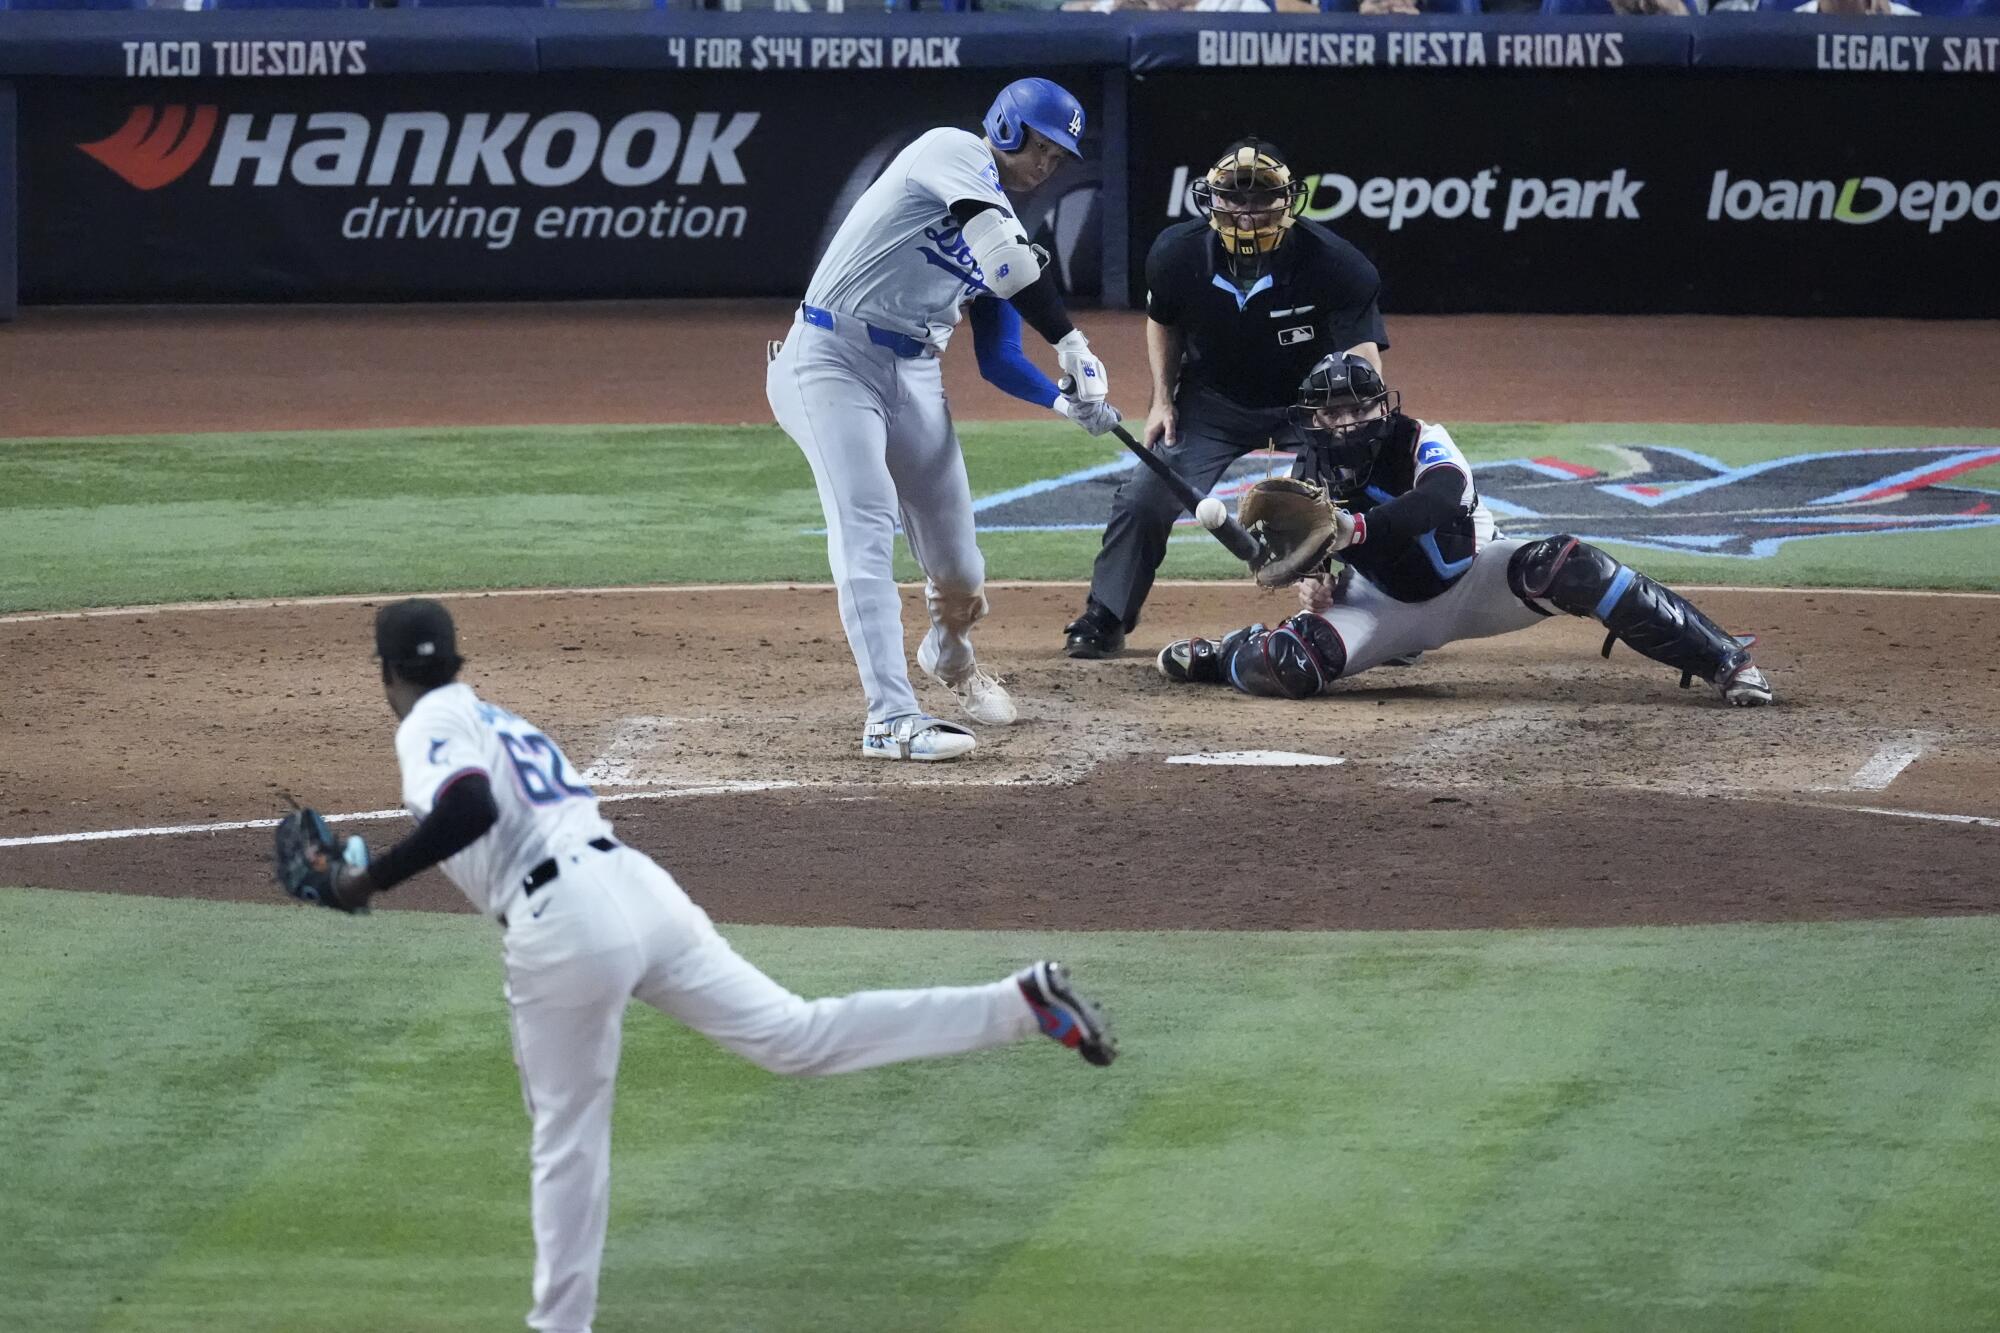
x,y
1563,573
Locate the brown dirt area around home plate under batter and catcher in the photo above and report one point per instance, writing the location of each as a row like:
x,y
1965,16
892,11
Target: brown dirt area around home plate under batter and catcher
x,y
1517,782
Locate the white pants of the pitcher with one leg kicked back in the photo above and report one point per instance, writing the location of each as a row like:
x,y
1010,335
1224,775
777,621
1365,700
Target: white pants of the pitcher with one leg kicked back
x,y
615,928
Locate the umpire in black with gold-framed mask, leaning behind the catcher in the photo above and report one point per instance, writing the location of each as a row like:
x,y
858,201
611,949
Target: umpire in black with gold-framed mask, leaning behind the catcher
x,y
1239,309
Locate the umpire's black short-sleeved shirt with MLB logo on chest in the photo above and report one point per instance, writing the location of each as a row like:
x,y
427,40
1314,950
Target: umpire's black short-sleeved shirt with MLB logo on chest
x,y
1255,345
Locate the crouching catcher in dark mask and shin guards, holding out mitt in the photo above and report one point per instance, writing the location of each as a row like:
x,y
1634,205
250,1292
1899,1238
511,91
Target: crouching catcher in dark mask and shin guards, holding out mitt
x,y
1391,499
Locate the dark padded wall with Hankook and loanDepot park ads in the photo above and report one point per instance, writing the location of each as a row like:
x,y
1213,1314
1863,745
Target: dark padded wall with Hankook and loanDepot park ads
x,y
1761,165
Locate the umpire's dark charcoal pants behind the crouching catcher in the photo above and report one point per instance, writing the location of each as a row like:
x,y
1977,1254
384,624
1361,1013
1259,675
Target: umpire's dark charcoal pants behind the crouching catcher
x,y
1213,435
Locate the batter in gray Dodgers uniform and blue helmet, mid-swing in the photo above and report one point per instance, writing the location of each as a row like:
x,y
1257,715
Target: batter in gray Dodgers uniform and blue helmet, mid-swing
x,y
859,389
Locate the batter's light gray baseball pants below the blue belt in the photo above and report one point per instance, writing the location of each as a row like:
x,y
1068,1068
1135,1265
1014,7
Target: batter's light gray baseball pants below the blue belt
x,y
879,435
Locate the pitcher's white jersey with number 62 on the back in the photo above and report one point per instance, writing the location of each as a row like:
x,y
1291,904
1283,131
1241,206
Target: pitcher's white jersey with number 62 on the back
x,y
545,806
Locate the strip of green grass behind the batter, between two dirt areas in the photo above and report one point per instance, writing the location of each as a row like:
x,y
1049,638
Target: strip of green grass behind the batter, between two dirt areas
x,y
97,523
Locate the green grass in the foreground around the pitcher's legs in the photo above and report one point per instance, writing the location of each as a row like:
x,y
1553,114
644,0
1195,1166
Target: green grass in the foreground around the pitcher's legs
x,y
261,1118
